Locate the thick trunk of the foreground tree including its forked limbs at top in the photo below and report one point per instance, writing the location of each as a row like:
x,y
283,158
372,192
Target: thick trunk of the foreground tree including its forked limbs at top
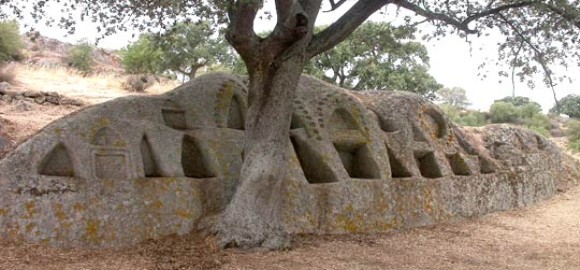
x,y
275,63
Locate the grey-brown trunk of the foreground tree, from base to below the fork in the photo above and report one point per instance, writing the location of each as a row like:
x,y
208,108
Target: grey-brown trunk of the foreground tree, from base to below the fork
x,y
253,216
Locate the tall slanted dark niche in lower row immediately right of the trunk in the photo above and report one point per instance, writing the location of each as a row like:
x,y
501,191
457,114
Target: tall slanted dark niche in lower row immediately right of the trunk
x,y
315,169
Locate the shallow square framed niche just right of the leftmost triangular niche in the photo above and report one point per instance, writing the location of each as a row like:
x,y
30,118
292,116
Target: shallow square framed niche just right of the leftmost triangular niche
x,y
111,164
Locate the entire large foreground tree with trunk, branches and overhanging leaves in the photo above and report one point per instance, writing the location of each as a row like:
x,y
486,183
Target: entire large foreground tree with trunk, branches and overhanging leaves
x,y
544,31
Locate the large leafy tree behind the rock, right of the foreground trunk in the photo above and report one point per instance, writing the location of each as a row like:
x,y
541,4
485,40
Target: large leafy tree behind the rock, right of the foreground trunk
x,y
377,56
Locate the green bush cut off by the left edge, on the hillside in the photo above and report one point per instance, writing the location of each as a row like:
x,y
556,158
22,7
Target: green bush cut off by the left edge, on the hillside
x,y
10,41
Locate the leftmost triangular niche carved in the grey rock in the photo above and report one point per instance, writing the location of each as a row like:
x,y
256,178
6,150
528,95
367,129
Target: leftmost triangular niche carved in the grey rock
x,y
57,163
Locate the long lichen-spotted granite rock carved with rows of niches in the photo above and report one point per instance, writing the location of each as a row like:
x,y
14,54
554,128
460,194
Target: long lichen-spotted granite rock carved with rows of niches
x,y
142,167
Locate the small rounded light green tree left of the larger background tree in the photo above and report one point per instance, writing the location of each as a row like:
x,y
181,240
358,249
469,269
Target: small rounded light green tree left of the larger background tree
x,y
142,56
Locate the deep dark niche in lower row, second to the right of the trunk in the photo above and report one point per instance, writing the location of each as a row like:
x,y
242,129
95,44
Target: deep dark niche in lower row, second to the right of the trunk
x,y
357,160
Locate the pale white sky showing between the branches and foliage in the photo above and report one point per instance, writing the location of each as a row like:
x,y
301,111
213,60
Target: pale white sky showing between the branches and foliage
x,y
454,63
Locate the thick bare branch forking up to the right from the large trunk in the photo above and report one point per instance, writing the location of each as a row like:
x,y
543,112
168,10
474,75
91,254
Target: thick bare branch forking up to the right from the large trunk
x,y
344,26
